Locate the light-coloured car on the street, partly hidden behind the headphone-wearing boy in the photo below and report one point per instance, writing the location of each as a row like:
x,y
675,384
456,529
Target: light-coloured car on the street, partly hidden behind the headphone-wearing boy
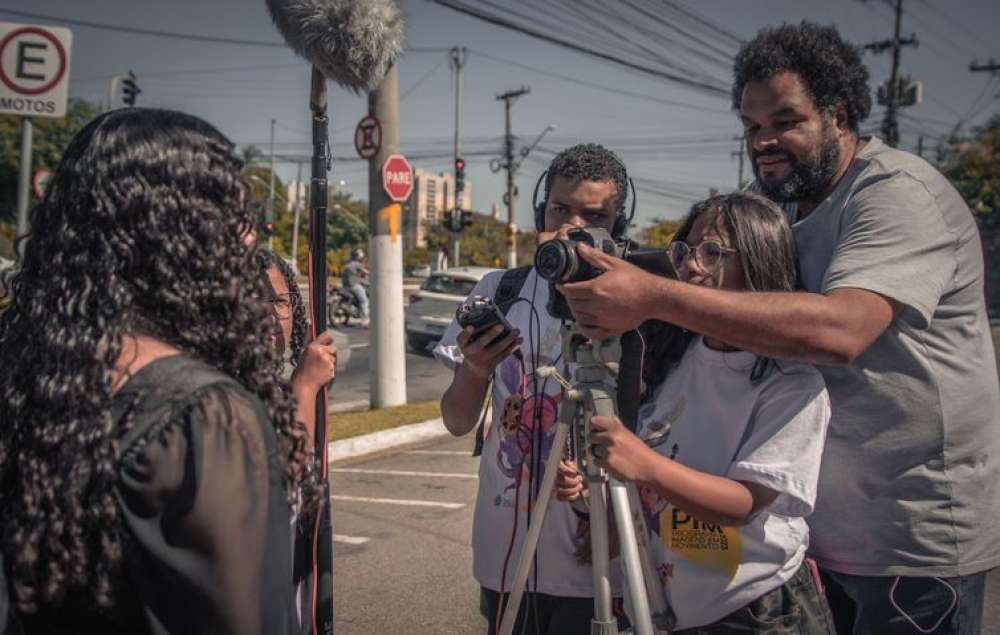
x,y
432,307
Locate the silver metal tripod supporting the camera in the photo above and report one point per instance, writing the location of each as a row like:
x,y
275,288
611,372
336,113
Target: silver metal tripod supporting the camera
x,y
592,395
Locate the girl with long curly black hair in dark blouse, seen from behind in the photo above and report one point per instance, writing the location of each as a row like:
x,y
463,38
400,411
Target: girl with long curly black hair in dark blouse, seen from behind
x,y
147,450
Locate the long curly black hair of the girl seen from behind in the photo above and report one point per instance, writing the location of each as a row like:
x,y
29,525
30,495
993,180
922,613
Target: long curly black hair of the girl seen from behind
x,y
138,233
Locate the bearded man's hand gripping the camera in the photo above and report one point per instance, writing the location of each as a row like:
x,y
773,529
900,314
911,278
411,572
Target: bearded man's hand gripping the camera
x,y
613,302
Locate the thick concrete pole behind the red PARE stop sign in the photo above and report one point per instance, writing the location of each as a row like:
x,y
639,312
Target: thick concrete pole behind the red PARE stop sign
x,y
388,369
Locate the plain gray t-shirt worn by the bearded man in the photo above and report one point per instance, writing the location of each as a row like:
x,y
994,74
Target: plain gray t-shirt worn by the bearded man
x,y
910,481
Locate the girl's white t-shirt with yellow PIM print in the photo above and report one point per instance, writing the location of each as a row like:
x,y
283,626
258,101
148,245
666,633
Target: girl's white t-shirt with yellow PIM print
x,y
771,433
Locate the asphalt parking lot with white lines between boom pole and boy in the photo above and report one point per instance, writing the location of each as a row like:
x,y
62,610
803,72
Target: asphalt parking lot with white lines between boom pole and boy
x,y
402,549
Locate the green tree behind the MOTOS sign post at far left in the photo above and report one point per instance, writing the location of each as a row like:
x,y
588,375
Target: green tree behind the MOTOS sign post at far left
x,y
49,138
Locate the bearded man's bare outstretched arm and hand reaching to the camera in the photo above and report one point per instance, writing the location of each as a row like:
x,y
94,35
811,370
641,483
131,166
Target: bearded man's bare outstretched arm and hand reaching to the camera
x,y
821,329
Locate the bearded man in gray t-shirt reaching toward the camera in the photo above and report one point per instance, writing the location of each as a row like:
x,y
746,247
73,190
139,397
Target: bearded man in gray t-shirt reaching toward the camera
x,y
905,523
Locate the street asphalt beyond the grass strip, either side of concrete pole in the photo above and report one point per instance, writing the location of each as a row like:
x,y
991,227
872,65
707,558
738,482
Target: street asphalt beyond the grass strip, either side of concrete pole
x,y
426,378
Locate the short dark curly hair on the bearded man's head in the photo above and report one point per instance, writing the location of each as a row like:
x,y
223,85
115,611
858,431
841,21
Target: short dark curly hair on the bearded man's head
x,y
830,68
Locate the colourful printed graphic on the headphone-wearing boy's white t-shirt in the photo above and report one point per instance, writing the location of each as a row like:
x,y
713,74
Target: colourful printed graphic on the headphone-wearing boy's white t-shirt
x,y
527,423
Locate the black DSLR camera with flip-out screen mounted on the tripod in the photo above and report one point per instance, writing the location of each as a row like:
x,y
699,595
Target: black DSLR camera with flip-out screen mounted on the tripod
x,y
558,262
